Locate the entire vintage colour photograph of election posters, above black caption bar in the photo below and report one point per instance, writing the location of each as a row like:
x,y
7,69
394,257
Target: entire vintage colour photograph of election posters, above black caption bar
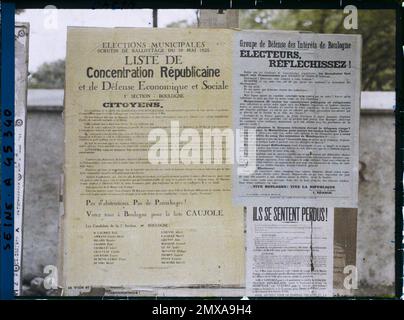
x,y
202,152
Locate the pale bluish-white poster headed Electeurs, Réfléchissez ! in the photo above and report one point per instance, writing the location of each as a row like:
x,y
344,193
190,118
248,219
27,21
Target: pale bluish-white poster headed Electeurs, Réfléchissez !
x,y
300,93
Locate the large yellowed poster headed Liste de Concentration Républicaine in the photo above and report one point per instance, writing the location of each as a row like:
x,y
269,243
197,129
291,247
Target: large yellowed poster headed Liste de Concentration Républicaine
x,y
128,222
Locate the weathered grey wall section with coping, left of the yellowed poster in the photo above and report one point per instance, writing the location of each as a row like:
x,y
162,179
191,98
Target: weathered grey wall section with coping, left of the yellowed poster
x,y
44,165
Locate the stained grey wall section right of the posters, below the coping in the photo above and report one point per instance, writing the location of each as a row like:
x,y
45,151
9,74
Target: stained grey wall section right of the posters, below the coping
x,y
376,204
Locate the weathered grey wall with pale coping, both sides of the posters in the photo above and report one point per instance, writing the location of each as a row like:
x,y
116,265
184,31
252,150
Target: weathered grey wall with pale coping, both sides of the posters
x,y
44,161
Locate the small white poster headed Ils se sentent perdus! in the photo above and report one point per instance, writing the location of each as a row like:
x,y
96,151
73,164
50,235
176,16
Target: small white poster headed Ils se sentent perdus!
x,y
289,251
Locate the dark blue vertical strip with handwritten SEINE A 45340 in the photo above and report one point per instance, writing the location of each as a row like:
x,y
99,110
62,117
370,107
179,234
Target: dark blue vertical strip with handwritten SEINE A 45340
x,y
7,157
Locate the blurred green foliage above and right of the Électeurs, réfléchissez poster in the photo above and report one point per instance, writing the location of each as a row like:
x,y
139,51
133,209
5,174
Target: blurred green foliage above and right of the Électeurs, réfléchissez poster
x,y
377,28
